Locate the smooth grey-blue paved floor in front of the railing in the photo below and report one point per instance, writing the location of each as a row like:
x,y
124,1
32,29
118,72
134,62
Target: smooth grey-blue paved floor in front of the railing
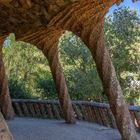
x,y
39,129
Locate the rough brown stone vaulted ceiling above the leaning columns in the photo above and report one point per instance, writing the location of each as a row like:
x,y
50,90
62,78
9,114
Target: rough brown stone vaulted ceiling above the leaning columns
x,y
22,16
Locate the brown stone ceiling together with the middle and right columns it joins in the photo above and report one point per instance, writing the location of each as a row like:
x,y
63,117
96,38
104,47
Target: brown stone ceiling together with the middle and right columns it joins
x,y
43,22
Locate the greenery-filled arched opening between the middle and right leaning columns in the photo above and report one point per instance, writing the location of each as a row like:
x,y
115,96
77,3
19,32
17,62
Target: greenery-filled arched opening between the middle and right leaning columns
x,y
79,69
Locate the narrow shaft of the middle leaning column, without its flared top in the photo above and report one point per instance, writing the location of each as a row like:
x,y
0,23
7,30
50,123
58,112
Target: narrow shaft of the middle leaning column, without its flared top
x,y
60,83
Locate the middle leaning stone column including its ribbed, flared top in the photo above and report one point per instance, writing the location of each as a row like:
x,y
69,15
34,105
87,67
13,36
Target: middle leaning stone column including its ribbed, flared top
x,y
47,41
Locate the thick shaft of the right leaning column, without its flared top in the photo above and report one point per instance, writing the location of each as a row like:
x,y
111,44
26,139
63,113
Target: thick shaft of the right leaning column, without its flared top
x,y
111,85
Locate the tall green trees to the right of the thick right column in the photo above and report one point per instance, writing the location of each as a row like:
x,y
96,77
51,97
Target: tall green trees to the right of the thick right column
x,y
122,31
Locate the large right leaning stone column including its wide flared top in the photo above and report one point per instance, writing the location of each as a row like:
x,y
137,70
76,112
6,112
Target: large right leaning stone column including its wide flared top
x,y
90,28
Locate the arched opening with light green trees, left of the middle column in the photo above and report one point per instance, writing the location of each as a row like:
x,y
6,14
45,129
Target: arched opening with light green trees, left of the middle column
x,y
28,71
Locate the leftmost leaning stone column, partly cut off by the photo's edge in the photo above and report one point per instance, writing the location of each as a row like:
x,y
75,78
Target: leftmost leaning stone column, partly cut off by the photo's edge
x,y
5,101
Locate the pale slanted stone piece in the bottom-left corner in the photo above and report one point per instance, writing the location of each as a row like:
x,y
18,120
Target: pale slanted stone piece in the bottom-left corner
x,y
4,130
